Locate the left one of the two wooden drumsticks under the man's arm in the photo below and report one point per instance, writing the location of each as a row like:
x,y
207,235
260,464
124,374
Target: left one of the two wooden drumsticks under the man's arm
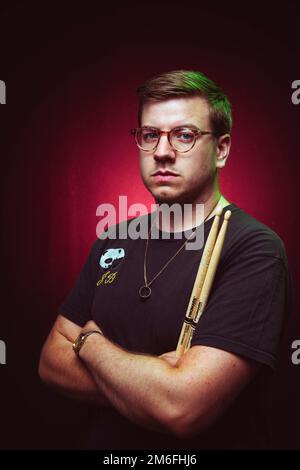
x,y
199,280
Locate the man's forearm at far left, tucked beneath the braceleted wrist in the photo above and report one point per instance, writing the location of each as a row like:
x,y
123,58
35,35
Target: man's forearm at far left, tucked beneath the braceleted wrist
x,y
60,368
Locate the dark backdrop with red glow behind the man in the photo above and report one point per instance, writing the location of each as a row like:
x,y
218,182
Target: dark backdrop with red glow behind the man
x,y
71,75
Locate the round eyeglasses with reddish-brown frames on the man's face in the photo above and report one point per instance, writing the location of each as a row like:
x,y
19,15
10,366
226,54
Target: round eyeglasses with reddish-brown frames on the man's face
x,y
181,139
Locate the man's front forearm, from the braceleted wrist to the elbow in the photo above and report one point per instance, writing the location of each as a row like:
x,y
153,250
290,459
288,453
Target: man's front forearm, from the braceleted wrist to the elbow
x,y
143,388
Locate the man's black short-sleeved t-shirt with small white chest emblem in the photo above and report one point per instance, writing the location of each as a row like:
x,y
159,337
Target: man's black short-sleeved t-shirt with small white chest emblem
x,y
245,315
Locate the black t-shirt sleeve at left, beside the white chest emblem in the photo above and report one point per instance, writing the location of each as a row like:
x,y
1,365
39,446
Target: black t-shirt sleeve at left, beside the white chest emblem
x,y
77,305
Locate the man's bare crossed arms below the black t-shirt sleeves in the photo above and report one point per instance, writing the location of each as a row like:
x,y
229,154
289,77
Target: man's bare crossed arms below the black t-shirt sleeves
x,y
160,393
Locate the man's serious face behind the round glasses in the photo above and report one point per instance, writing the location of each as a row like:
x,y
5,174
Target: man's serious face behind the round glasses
x,y
196,169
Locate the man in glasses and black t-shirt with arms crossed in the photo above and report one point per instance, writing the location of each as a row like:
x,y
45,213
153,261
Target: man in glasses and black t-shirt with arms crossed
x,y
126,364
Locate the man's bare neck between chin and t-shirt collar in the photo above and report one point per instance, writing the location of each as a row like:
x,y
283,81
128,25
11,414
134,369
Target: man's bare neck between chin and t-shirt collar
x,y
188,216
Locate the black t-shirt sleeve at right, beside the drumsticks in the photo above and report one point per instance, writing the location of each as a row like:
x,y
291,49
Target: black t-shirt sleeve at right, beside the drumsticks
x,y
247,307
